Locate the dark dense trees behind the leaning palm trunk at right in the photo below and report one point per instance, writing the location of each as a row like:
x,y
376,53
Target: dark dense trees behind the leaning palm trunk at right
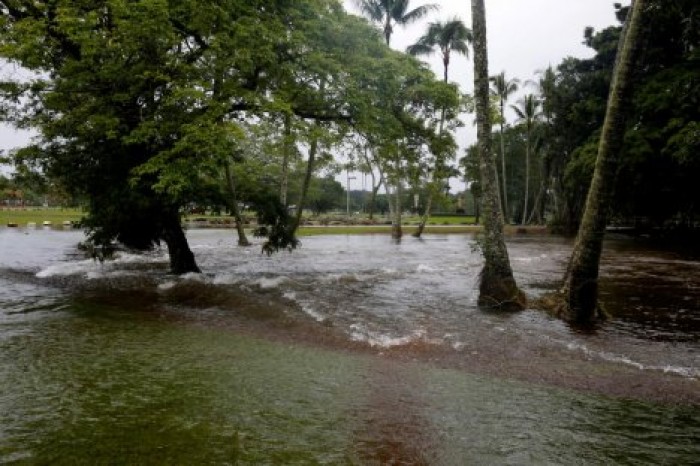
x,y
659,160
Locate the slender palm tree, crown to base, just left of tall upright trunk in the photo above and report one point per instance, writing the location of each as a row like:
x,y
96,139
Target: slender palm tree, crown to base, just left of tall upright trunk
x,y
448,37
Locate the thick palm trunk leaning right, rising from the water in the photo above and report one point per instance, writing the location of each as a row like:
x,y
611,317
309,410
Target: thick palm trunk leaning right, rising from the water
x,y
581,281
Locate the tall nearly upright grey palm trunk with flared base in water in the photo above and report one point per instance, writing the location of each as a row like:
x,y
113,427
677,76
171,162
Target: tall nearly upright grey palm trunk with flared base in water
x,y
497,288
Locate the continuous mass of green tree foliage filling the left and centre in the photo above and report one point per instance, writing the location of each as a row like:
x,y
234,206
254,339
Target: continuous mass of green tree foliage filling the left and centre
x,y
142,104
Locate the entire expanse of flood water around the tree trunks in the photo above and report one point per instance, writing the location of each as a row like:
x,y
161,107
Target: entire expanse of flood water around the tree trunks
x,y
350,350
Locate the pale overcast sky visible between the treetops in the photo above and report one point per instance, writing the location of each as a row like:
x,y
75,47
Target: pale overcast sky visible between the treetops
x,y
523,36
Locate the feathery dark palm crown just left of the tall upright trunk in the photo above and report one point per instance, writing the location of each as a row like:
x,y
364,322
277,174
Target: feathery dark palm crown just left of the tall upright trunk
x,y
449,36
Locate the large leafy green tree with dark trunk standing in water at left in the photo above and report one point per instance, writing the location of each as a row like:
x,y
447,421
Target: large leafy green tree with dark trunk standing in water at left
x,y
138,103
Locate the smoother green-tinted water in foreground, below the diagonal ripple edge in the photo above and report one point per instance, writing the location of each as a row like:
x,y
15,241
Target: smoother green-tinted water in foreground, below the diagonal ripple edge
x,y
89,384
